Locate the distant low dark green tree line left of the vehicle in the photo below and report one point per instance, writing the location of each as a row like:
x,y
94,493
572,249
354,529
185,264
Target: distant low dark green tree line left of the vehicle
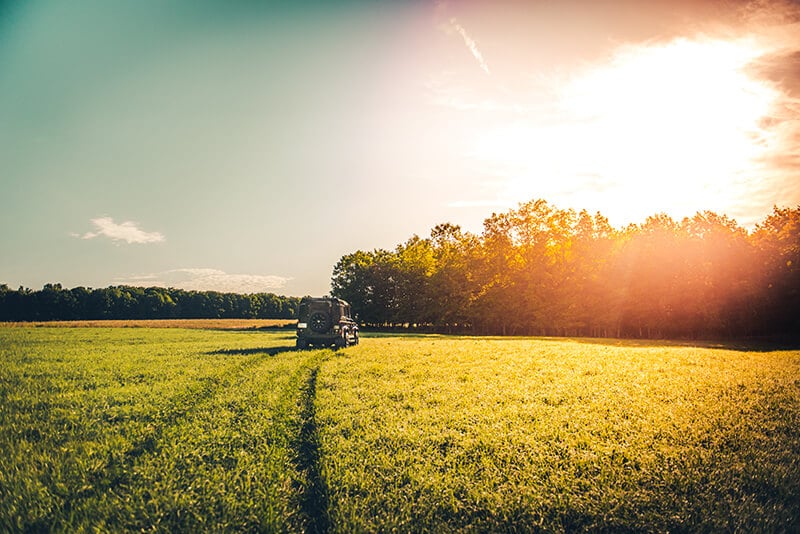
x,y
53,302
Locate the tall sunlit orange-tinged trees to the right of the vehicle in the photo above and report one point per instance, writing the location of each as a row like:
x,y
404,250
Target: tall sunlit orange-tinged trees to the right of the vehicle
x,y
540,270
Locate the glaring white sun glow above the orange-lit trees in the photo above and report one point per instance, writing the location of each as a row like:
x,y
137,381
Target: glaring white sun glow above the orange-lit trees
x,y
672,127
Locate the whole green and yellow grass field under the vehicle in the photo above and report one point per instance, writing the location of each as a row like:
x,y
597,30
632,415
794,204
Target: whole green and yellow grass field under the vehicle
x,y
174,429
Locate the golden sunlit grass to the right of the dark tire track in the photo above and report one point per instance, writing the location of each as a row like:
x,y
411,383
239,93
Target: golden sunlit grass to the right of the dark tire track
x,y
433,434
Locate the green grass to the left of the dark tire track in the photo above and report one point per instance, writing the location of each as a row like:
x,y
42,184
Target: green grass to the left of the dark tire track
x,y
153,429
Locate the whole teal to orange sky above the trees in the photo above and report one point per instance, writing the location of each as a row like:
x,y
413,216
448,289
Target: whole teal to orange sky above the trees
x,y
246,145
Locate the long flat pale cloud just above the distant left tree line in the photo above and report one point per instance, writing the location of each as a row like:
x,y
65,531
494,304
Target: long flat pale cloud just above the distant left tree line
x,y
203,279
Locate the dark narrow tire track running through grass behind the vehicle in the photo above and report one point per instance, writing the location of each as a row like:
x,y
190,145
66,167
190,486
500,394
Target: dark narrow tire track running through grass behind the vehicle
x,y
314,494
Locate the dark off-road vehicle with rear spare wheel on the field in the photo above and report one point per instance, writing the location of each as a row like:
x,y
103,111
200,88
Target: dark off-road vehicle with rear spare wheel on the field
x,y
325,321
